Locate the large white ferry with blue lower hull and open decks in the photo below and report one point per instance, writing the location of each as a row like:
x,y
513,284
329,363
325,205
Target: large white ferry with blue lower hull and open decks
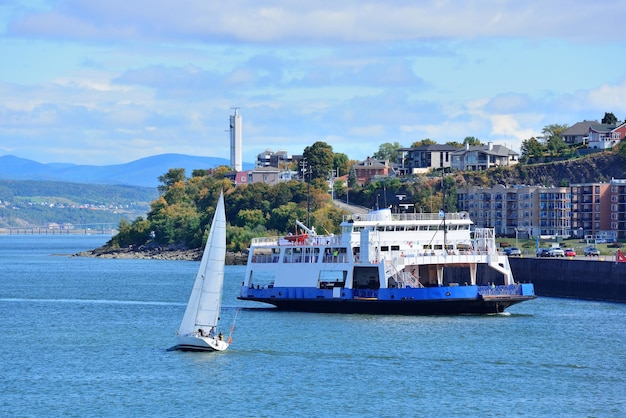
x,y
385,263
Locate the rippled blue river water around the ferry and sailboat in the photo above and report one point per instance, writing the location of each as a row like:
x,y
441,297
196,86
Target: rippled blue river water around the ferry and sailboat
x,y
89,337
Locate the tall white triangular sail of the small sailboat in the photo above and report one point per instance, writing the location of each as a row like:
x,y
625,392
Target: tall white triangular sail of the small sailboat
x,y
205,301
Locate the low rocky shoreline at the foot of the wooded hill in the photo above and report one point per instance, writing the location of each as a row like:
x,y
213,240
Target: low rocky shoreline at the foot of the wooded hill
x,y
160,253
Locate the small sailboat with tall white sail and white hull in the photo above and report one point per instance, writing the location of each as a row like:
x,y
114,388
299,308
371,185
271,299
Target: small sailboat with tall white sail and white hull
x,y
198,329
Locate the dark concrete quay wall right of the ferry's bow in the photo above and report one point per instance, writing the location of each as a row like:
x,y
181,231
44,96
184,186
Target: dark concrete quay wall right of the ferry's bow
x,y
580,279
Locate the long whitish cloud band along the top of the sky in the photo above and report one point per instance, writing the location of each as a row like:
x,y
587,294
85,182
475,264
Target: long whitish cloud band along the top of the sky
x,y
321,21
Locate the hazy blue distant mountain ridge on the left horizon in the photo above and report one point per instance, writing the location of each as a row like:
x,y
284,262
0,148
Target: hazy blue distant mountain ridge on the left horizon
x,y
143,172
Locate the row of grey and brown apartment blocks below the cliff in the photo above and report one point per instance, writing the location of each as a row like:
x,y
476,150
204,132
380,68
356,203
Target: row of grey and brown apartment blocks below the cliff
x,y
591,210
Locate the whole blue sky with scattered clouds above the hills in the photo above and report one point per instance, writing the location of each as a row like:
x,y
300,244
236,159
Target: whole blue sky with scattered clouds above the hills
x,y
107,82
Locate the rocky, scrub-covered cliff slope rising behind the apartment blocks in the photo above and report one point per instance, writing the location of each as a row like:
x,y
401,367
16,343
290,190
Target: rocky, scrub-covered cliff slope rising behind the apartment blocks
x,y
599,167
